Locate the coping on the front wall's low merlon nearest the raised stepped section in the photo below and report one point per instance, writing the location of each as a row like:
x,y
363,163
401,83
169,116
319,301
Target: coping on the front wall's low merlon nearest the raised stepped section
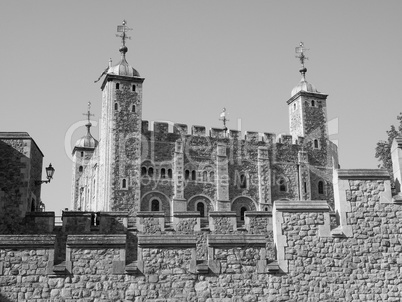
x,y
236,240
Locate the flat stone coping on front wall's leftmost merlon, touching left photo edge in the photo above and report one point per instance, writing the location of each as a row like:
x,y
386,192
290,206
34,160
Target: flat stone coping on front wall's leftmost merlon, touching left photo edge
x,y
29,241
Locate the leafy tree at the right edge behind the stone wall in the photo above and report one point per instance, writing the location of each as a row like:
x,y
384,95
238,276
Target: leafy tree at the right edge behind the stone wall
x,y
383,149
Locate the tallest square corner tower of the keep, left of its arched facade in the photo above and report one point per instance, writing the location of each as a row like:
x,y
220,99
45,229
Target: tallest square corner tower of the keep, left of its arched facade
x,y
120,135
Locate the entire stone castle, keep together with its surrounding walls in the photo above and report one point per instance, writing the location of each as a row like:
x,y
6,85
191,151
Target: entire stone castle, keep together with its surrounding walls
x,y
170,216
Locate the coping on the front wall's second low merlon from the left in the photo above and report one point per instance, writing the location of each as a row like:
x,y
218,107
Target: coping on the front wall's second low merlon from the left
x,y
96,240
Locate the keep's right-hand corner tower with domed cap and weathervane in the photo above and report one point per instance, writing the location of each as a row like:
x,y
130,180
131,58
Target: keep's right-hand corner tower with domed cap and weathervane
x,y
308,119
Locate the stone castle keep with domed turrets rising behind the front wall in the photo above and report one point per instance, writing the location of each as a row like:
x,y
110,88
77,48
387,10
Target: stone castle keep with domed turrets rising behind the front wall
x,y
135,169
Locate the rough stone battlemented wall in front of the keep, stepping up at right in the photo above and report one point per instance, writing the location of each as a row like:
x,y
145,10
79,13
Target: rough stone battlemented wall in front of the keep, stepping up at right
x,y
291,254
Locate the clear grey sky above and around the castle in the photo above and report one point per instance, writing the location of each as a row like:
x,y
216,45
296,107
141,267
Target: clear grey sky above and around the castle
x,y
197,57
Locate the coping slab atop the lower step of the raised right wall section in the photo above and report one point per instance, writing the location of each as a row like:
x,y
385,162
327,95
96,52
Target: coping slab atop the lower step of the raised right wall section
x,y
301,206
